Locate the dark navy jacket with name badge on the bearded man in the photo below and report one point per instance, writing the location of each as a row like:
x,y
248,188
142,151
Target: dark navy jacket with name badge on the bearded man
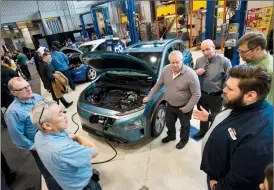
x,y
238,163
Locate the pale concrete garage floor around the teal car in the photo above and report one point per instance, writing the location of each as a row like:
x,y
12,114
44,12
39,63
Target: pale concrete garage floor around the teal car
x,y
150,164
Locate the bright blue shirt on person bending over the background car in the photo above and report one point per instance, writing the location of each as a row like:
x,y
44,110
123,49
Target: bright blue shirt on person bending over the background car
x,y
59,61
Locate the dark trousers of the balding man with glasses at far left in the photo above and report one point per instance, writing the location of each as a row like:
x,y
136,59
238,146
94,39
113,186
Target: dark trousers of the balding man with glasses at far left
x,y
50,181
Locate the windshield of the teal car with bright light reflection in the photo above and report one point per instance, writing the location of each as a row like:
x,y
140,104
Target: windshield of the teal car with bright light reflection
x,y
153,59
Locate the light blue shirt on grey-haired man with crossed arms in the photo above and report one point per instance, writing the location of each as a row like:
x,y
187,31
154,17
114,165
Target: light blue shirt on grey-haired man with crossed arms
x,y
66,160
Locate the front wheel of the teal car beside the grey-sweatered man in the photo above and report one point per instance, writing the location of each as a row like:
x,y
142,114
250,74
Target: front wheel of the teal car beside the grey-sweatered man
x,y
159,120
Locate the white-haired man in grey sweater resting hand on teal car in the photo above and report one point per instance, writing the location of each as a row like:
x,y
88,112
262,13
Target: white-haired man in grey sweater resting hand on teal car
x,y
182,94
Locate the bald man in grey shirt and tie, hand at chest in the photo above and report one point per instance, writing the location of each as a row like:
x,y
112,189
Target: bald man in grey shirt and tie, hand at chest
x,y
212,70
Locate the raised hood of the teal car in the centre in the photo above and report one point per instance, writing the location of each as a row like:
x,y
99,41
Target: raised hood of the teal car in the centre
x,y
110,61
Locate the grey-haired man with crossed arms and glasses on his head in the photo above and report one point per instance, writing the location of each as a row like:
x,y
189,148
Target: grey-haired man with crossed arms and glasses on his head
x,y
66,156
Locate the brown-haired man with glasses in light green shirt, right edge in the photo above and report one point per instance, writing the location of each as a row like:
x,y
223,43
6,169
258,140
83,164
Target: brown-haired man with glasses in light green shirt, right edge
x,y
252,49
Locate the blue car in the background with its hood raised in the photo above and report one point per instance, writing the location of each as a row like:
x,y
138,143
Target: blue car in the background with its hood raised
x,y
79,71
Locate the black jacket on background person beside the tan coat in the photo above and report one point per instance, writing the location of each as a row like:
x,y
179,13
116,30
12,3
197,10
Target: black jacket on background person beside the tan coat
x,y
45,73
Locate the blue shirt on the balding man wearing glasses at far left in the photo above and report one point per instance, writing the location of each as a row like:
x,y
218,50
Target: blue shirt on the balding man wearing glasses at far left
x,y
20,127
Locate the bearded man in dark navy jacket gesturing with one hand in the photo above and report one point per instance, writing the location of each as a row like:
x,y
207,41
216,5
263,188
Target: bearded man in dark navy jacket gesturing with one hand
x,y
239,143
